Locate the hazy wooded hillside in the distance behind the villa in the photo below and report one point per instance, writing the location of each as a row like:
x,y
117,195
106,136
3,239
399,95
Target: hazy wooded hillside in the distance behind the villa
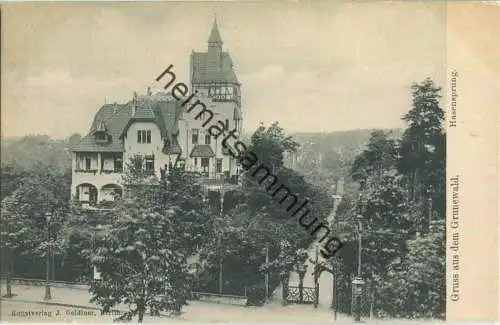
x,y
322,157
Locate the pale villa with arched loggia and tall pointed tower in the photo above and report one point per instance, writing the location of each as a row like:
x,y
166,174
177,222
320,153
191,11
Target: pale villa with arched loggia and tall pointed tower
x,y
156,130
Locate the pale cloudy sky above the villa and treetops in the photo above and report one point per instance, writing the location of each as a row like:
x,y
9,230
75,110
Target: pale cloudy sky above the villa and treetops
x,y
314,67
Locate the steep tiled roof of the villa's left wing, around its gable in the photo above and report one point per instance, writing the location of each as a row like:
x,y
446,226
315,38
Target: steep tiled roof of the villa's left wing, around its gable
x,y
164,111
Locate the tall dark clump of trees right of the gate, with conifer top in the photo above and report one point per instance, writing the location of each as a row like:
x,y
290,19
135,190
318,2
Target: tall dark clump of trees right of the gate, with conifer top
x,y
396,178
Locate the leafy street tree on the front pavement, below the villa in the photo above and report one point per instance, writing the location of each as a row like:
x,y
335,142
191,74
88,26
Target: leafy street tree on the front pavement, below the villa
x,y
142,263
